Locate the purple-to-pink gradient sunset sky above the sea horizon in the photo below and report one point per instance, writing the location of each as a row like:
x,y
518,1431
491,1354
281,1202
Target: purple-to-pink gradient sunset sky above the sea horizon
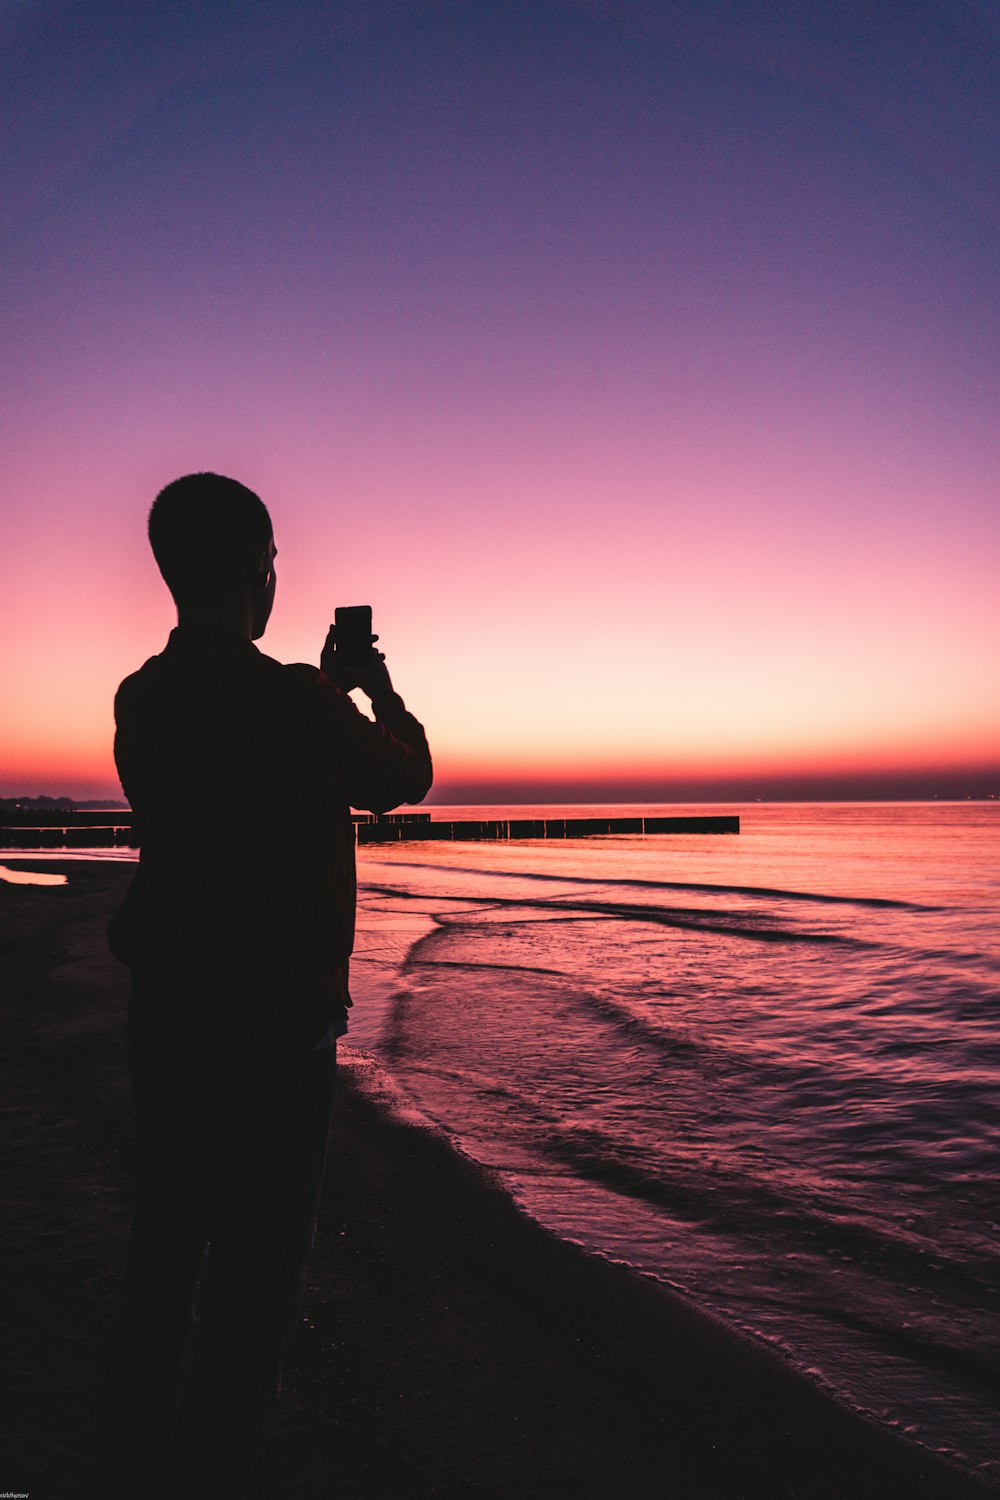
x,y
636,362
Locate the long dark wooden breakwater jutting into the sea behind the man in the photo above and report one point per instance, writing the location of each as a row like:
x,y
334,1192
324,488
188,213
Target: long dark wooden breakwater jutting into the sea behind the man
x,y
104,830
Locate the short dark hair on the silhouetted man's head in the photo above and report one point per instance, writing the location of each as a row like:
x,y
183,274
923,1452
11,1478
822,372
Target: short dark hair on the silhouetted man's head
x,y
203,530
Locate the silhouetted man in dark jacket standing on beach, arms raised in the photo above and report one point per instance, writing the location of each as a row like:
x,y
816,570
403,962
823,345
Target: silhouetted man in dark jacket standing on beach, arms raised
x,y
238,931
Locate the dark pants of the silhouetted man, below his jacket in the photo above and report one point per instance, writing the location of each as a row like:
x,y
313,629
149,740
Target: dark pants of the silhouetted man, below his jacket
x,y
232,1141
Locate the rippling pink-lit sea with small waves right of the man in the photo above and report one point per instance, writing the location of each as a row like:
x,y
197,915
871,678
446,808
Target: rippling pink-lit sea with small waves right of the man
x,y
762,1069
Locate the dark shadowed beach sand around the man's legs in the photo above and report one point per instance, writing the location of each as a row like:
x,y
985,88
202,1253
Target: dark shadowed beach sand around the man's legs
x,y
451,1348
